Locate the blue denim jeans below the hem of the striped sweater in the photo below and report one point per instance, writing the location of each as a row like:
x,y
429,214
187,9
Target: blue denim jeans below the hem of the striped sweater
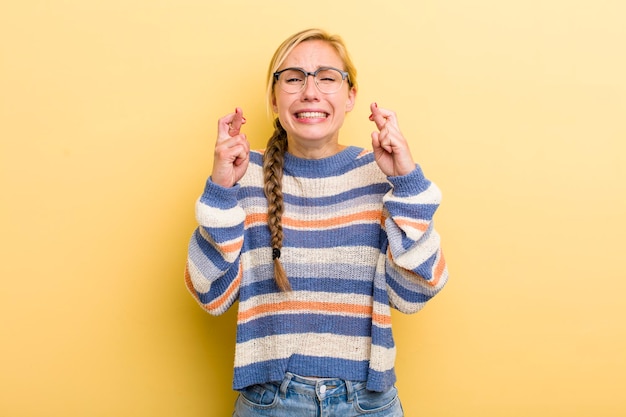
x,y
297,396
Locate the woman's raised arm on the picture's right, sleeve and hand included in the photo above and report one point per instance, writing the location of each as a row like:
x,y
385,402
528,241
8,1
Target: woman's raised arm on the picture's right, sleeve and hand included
x,y
416,269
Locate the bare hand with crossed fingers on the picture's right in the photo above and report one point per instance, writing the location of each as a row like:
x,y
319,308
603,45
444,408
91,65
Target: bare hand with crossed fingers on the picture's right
x,y
391,149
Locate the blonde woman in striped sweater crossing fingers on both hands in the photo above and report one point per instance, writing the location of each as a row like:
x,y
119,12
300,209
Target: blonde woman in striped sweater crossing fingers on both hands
x,y
316,240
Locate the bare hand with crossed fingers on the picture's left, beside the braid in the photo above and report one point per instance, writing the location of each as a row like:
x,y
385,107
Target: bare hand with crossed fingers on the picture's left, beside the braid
x,y
232,150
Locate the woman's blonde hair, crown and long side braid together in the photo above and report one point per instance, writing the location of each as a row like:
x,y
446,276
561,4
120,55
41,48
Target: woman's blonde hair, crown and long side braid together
x,y
274,157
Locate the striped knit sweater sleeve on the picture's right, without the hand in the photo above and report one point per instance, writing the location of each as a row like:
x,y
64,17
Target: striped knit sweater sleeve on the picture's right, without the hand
x,y
416,269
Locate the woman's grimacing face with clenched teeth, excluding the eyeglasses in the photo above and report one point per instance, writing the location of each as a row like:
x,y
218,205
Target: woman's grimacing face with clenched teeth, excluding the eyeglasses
x,y
312,119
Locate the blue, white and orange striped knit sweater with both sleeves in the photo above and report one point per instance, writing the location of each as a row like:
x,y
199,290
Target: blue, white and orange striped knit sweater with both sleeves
x,y
356,244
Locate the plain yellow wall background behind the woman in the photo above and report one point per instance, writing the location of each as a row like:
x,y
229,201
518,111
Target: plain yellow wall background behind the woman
x,y
516,109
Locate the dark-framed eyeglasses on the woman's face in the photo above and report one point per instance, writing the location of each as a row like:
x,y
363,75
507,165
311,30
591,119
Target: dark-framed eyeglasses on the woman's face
x,y
327,79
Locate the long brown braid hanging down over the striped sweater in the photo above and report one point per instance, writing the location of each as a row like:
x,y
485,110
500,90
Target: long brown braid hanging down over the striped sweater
x,y
273,161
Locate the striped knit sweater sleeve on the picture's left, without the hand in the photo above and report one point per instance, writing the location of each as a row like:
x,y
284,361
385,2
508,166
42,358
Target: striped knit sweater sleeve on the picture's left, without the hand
x,y
212,272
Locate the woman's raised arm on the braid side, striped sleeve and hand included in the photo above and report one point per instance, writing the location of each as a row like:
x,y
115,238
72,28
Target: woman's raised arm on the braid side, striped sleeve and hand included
x,y
212,273
